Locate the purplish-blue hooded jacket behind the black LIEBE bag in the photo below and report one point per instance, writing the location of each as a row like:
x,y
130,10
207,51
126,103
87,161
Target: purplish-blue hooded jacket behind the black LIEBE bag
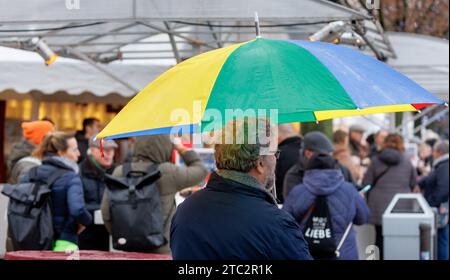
x,y
344,203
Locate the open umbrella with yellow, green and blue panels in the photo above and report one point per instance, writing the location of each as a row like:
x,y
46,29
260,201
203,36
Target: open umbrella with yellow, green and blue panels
x,y
304,81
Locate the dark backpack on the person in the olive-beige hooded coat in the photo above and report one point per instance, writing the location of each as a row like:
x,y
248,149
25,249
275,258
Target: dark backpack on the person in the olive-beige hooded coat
x,y
135,209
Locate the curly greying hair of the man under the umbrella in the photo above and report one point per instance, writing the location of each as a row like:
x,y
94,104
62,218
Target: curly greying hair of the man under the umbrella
x,y
243,142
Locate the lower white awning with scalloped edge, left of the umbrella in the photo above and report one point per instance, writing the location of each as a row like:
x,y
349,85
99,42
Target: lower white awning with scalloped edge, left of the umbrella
x,y
24,72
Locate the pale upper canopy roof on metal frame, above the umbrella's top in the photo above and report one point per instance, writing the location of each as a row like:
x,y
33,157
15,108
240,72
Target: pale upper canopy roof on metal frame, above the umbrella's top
x,y
104,30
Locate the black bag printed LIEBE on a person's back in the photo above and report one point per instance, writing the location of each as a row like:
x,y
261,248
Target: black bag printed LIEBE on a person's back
x,y
318,231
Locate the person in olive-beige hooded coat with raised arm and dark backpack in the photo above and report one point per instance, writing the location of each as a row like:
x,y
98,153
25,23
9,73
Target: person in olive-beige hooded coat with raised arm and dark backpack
x,y
152,159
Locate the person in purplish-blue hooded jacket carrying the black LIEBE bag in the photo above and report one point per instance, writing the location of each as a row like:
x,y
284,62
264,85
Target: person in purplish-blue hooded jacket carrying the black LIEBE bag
x,y
326,207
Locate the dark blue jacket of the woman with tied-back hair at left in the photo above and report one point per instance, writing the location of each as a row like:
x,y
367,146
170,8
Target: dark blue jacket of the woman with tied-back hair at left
x,y
68,206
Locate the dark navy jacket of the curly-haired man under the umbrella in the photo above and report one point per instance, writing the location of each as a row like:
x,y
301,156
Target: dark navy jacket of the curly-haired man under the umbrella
x,y
231,221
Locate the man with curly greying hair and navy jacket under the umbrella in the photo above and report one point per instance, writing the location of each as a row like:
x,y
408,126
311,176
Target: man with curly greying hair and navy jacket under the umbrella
x,y
235,216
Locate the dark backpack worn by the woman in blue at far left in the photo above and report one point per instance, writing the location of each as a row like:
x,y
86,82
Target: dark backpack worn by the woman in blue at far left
x,y
30,223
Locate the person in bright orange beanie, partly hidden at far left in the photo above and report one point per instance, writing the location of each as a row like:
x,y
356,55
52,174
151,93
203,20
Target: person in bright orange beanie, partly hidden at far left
x,y
33,133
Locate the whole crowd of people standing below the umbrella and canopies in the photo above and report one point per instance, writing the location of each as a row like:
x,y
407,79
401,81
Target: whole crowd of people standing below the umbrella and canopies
x,y
317,182
